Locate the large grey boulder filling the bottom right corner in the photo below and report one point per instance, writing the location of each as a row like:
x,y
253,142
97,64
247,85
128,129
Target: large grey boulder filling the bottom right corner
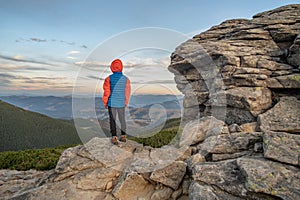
x,y
272,178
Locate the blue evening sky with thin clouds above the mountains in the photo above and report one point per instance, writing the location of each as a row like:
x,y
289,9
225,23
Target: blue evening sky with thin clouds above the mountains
x,y
58,47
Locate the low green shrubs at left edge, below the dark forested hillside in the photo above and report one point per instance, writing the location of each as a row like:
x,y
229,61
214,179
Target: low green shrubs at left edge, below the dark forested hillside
x,y
39,159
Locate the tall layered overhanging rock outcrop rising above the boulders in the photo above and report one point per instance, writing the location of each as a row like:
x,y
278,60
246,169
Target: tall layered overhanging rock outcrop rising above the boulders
x,y
248,63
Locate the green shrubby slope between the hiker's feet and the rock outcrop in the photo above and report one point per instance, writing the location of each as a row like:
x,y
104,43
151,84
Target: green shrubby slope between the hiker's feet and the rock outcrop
x,y
166,136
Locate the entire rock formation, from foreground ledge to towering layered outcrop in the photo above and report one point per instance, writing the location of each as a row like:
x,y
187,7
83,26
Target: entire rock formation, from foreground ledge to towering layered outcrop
x,y
242,138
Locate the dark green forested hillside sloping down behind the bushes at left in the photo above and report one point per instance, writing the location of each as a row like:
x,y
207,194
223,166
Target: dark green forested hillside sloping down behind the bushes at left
x,y
21,129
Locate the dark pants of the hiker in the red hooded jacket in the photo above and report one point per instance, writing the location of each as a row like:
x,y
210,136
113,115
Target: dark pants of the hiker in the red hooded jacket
x,y
112,120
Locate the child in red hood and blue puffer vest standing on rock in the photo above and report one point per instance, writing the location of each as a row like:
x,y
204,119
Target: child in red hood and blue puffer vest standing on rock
x,y
116,97
